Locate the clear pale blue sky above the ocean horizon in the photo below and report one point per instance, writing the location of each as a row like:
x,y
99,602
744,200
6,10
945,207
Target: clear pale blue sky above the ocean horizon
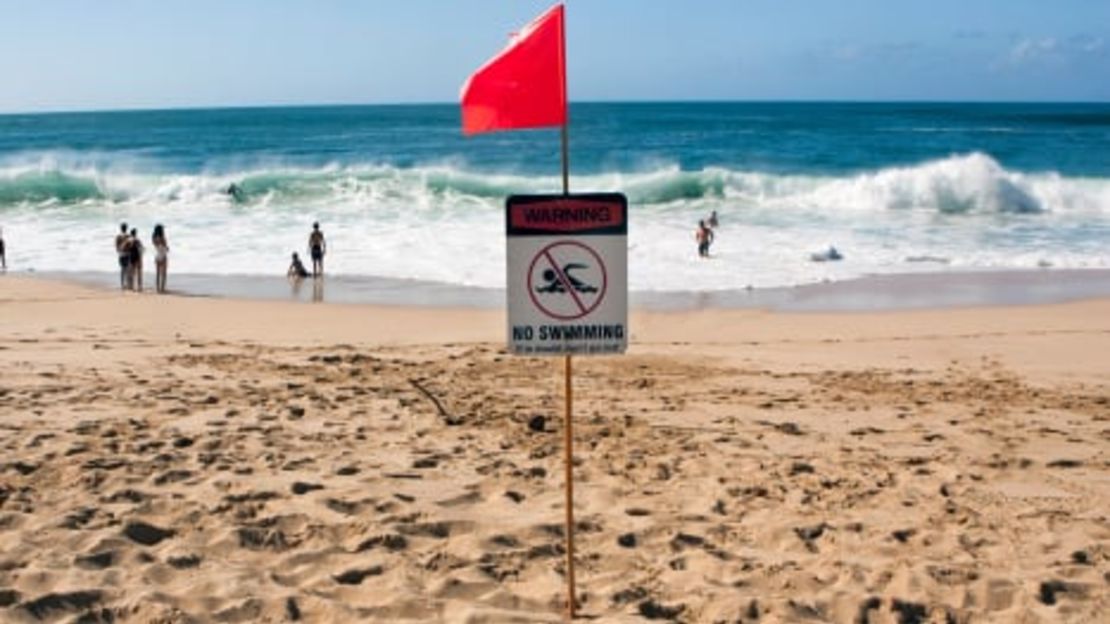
x,y
75,55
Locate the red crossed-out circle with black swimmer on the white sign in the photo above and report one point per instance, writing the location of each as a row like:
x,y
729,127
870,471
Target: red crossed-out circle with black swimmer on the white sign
x,y
568,280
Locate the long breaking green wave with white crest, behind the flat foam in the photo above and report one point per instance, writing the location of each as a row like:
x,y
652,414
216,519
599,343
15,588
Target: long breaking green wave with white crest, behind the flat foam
x,y
960,185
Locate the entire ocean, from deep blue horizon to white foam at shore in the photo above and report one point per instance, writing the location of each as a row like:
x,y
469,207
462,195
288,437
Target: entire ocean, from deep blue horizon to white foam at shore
x,y
897,188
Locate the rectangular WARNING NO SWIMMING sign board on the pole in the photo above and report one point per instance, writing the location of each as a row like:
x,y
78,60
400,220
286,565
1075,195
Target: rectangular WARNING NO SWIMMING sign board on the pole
x,y
568,260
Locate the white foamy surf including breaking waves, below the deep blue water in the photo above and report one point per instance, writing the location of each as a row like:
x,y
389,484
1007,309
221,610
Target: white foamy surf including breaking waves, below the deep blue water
x,y
446,224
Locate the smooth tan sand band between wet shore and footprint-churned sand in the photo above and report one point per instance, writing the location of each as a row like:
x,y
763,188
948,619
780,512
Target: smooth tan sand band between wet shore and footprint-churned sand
x,y
38,307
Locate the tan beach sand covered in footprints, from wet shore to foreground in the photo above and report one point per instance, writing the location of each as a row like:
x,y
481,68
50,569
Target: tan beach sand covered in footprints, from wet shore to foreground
x,y
171,459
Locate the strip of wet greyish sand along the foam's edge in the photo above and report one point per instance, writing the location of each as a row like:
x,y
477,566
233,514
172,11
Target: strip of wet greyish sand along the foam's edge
x,y
871,294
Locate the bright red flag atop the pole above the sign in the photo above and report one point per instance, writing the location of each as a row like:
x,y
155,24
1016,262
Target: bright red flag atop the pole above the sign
x,y
526,85
